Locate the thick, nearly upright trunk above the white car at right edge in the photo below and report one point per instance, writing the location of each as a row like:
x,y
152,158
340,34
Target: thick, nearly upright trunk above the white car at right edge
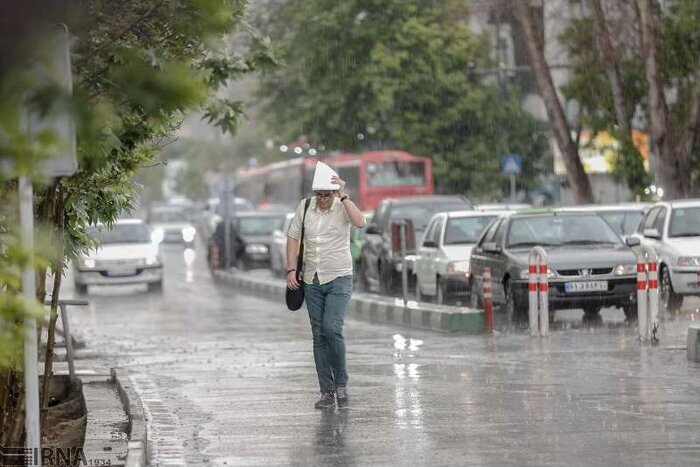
x,y
671,175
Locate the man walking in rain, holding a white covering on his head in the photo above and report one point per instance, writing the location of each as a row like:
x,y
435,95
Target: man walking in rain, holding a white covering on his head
x,y
327,276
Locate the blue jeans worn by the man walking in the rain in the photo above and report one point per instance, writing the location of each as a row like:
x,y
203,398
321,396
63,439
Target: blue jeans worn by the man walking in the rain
x,y
327,304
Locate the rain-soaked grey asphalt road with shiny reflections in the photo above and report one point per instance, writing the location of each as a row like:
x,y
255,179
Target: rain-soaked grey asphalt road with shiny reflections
x,y
229,380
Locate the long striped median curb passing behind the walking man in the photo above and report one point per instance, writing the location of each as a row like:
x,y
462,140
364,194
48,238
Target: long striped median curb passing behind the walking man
x,y
378,309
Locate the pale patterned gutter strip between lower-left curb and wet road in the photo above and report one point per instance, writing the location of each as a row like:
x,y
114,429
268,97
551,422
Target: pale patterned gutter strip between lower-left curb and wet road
x,y
165,445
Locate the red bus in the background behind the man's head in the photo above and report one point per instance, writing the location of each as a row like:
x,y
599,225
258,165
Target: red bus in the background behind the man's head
x,y
371,177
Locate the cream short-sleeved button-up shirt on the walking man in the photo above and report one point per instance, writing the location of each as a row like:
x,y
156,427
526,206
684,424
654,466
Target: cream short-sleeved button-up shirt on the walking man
x,y
326,241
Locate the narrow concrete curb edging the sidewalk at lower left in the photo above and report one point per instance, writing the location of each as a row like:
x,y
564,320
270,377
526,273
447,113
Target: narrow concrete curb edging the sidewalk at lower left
x,y
138,434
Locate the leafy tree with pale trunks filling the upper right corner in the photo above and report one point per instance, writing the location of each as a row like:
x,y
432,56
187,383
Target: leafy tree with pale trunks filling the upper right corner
x,y
654,52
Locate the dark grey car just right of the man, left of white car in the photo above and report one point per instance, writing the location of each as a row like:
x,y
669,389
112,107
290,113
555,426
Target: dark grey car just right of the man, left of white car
x,y
380,269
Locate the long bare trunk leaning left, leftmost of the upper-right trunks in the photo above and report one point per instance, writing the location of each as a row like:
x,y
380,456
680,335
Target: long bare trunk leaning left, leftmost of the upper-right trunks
x,y
574,168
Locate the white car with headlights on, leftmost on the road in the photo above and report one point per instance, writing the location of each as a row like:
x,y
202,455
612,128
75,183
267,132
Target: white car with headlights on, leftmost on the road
x,y
128,254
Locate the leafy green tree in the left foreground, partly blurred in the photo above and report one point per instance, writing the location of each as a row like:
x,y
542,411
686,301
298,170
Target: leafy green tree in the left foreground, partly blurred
x,y
138,67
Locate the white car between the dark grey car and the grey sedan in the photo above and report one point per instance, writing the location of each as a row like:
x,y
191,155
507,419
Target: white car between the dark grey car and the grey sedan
x,y
442,263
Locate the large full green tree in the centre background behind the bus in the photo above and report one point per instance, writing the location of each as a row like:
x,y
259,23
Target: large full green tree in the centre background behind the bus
x,y
366,74
